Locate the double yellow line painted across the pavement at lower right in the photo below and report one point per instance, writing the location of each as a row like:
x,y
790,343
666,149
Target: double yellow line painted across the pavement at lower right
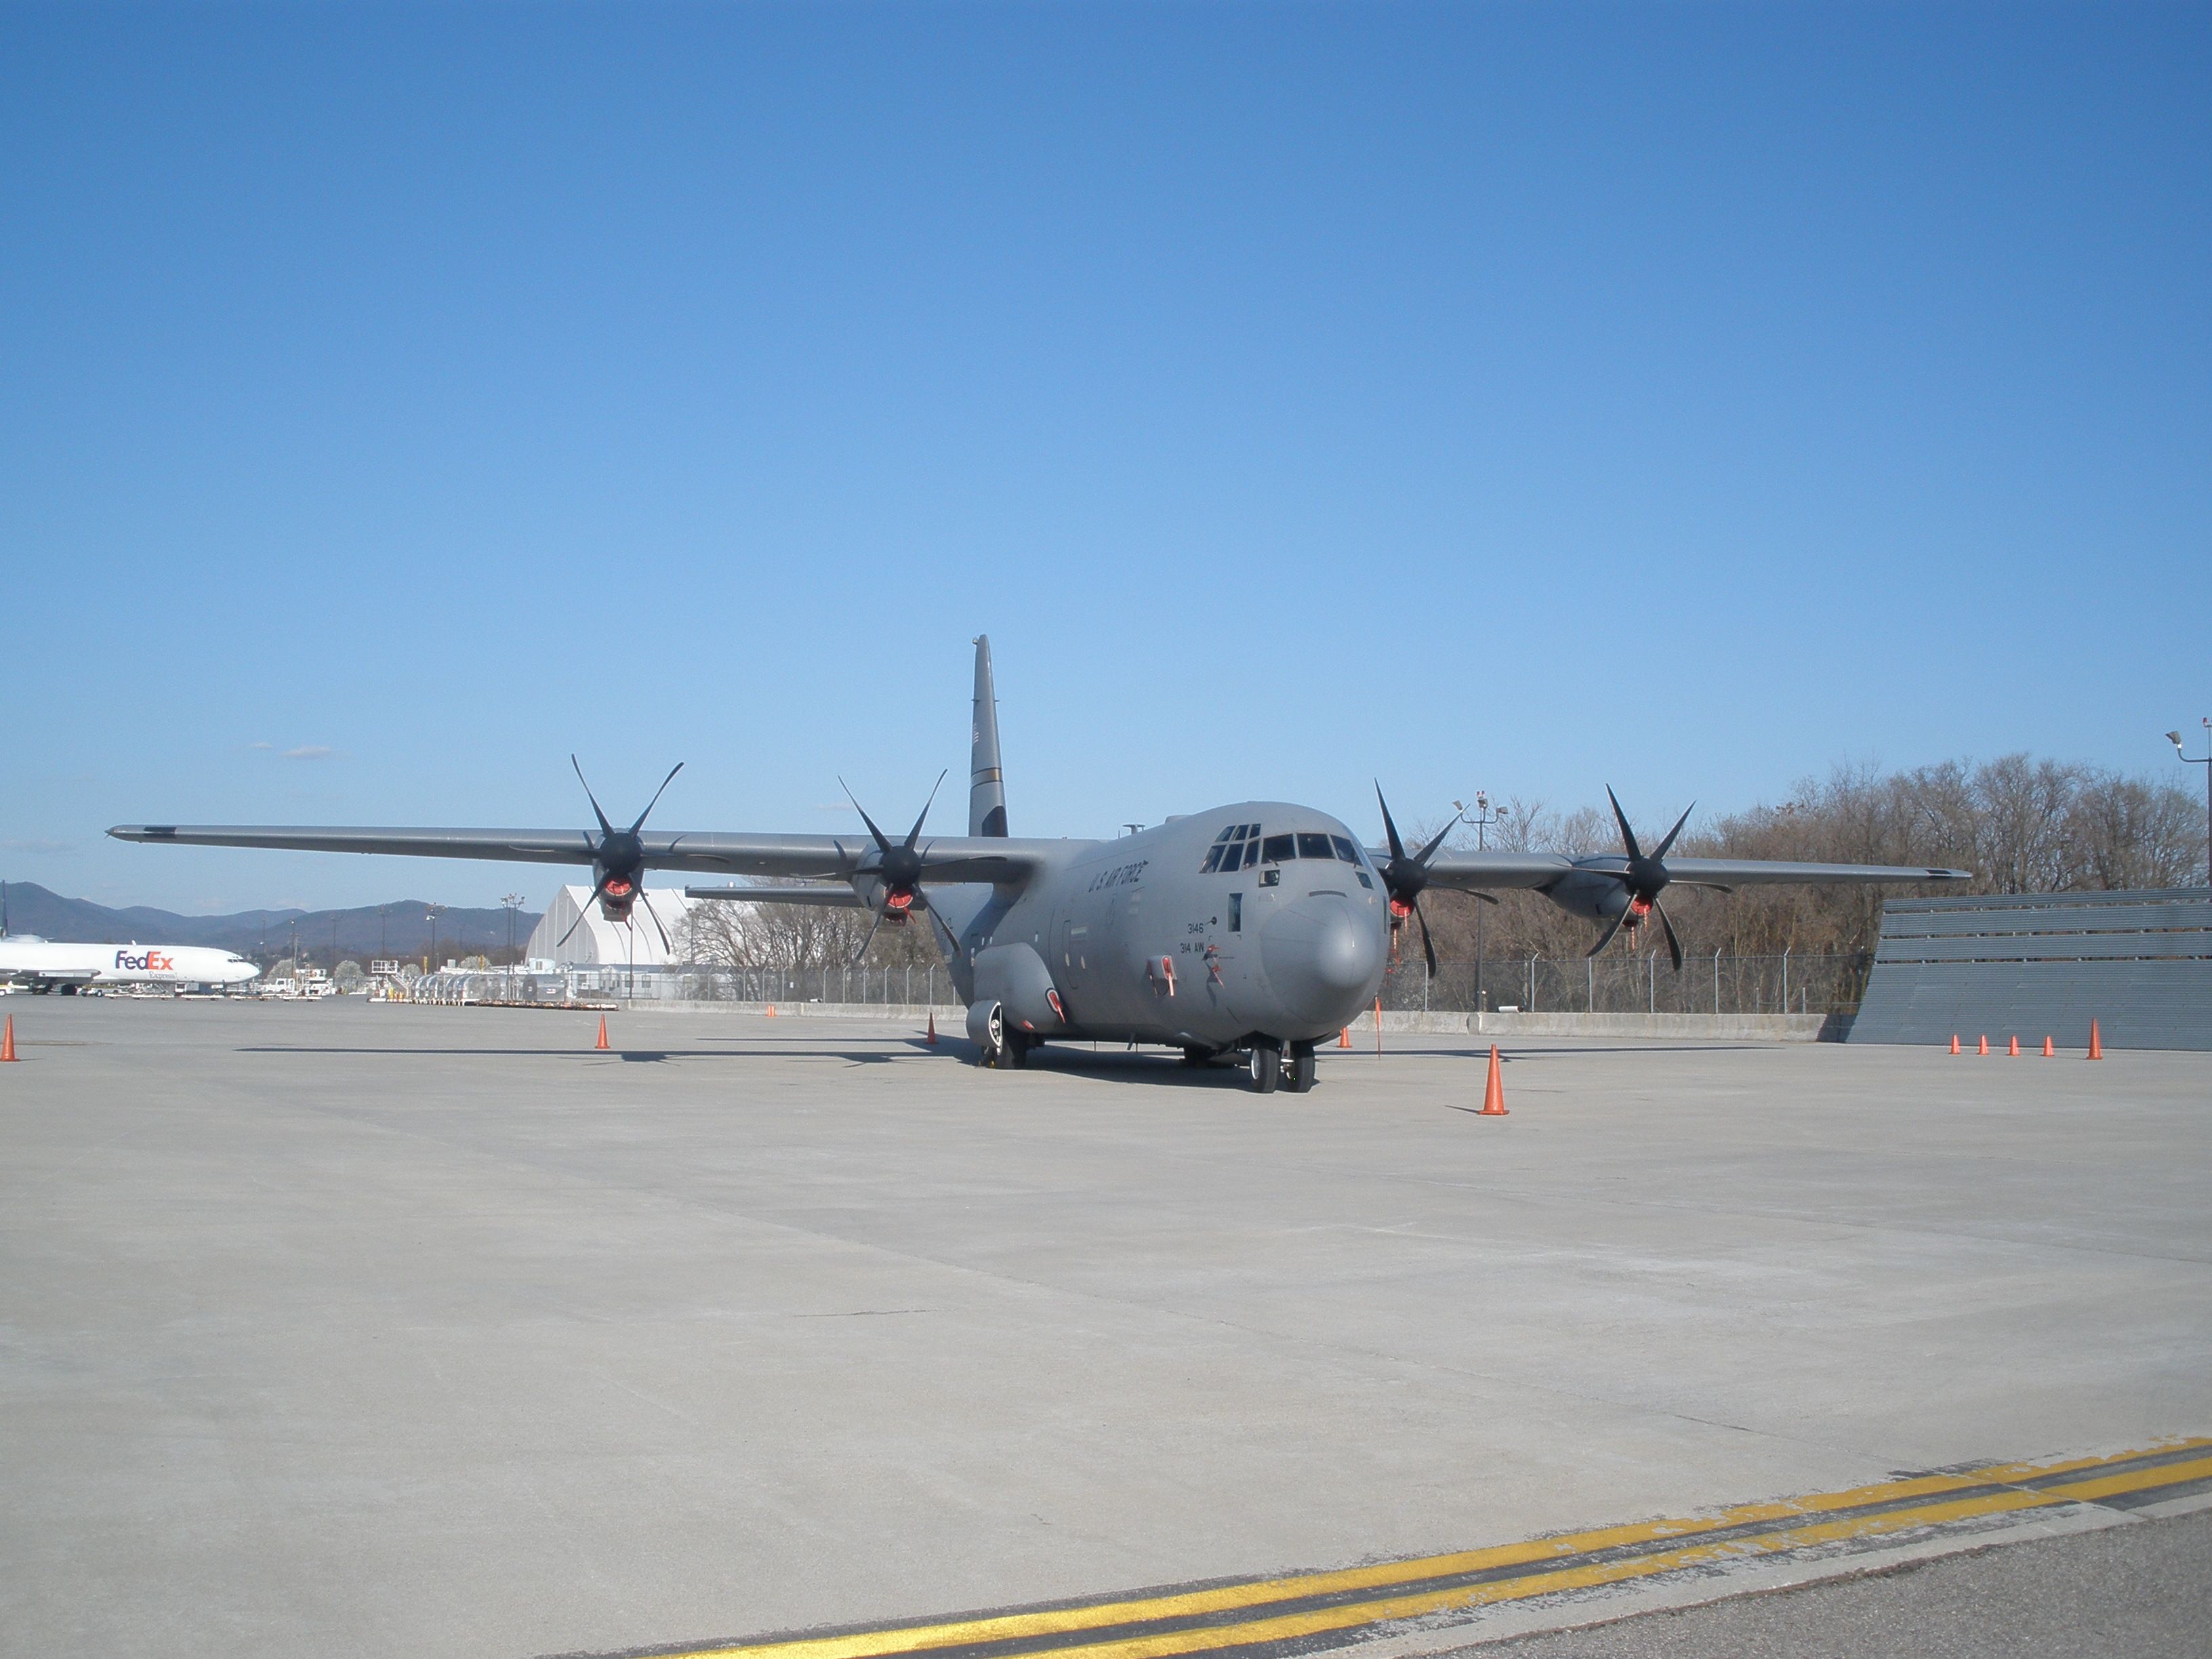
x,y
1050,1623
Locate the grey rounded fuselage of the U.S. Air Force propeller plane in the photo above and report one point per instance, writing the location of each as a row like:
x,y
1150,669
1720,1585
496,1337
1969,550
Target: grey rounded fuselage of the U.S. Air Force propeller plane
x,y
1255,921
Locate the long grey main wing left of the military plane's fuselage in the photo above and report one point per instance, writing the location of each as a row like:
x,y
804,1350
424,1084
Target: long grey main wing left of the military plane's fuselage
x,y
946,859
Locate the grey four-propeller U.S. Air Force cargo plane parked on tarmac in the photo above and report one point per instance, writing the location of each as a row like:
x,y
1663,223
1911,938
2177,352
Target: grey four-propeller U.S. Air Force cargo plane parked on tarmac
x,y
1251,930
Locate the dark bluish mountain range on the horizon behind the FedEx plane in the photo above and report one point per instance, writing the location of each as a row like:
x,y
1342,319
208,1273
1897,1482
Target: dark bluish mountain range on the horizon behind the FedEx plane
x,y
399,928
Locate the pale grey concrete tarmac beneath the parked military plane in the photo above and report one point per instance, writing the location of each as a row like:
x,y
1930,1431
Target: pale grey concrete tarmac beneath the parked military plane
x,y
359,1328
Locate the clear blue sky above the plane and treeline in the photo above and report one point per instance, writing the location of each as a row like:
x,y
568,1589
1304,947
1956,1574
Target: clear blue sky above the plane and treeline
x,y
1472,397
